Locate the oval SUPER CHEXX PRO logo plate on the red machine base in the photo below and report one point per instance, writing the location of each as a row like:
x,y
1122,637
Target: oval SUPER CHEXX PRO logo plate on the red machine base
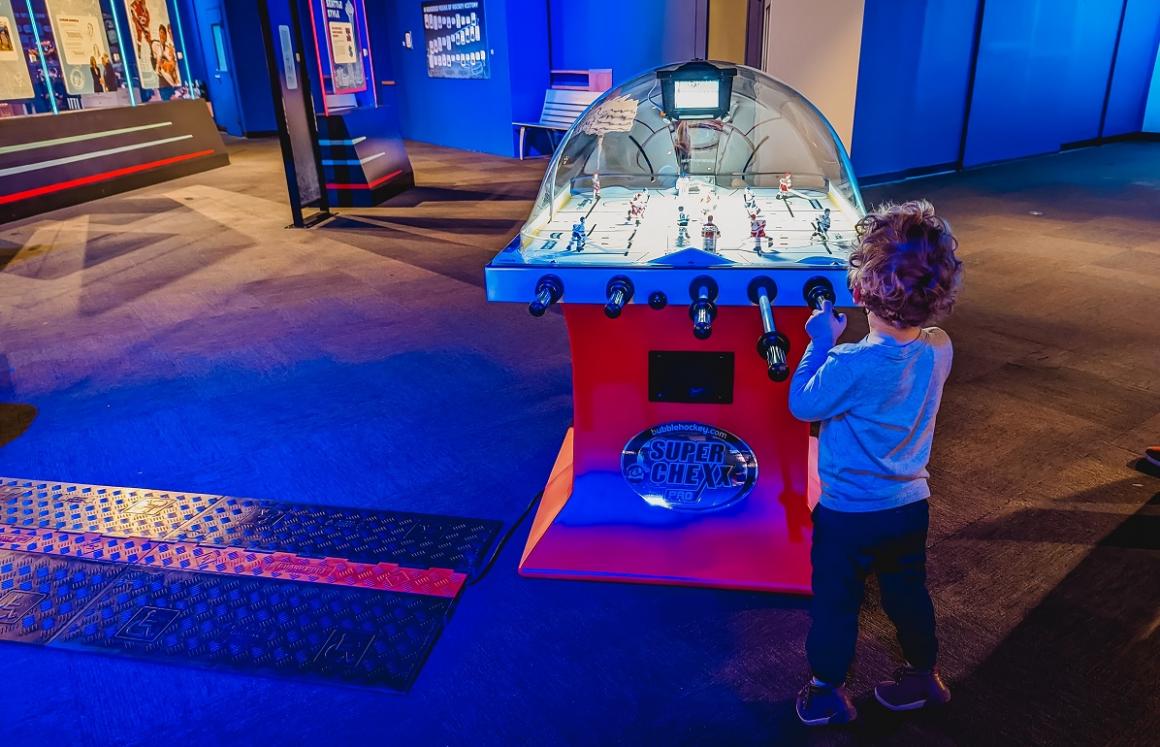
x,y
690,467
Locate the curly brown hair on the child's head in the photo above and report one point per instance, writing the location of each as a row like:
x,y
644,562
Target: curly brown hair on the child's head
x,y
905,267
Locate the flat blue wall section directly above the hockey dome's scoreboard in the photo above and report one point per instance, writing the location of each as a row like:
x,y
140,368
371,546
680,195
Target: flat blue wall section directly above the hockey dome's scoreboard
x,y
629,37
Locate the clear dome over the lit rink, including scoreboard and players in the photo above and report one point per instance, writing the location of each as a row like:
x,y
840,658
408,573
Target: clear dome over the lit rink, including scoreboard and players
x,y
648,171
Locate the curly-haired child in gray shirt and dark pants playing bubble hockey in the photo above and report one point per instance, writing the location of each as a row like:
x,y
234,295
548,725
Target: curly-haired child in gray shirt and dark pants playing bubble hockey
x,y
878,401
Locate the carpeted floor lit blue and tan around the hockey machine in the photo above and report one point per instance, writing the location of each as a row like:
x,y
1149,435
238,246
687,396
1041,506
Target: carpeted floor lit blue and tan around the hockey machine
x,y
179,338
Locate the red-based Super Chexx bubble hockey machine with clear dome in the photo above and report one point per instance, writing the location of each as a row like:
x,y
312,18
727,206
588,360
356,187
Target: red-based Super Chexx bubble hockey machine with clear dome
x,y
688,223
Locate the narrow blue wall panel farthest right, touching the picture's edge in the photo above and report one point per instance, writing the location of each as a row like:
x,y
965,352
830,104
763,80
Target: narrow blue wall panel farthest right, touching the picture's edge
x,y
1134,68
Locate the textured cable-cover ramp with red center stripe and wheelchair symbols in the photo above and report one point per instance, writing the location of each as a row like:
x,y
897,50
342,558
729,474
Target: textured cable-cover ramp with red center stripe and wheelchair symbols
x,y
310,592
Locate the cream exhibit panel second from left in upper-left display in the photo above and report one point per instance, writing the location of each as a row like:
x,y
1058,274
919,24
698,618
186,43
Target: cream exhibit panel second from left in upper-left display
x,y
79,30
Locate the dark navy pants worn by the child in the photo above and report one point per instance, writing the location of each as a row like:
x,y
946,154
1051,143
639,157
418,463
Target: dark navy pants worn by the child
x,y
847,548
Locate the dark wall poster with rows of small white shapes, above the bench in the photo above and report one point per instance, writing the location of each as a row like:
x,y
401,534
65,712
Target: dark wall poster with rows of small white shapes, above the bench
x,y
456,42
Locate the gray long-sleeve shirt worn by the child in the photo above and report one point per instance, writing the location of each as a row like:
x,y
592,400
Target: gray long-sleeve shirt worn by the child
x,y
878,401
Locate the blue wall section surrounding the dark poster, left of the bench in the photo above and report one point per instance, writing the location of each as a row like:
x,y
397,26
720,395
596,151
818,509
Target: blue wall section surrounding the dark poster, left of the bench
x,y
474,115
